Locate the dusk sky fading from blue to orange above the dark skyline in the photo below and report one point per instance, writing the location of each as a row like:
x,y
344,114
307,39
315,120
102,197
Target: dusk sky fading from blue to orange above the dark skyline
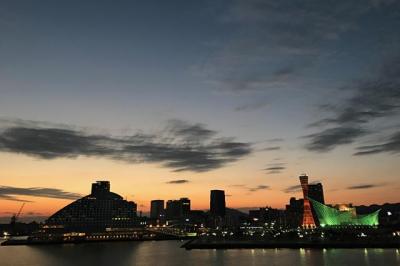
x,y
169,99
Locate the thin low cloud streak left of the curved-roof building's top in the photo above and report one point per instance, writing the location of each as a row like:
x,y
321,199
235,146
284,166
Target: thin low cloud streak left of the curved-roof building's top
x,y
9,193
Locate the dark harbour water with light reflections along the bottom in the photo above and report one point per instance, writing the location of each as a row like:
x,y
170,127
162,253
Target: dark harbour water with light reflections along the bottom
x,y
168,253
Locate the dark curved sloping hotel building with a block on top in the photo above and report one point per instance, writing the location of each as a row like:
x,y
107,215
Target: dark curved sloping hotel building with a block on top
x,y
100,211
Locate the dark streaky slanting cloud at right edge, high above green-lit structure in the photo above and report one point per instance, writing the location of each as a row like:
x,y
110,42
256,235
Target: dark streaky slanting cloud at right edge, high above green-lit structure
x,y
372,98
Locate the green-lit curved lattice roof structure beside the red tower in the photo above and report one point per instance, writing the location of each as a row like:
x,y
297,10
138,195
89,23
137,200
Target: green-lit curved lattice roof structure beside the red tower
x,y
328,216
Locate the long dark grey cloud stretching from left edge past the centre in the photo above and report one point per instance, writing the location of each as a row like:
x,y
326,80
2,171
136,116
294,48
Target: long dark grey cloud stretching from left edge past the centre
x,y
181,146
